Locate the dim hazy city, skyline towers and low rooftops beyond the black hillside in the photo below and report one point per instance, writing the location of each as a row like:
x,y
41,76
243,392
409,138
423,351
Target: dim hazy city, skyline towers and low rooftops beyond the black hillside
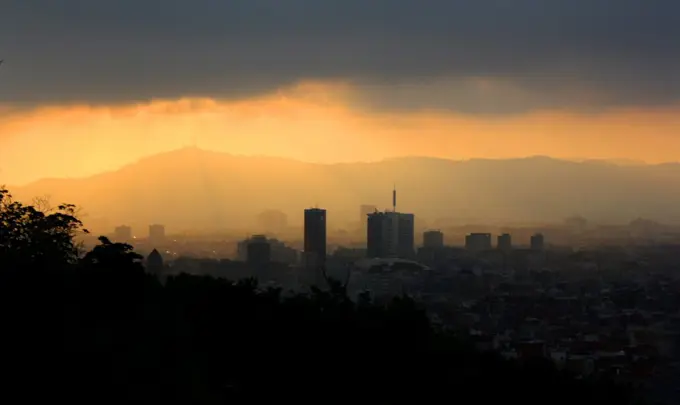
x,y
506,294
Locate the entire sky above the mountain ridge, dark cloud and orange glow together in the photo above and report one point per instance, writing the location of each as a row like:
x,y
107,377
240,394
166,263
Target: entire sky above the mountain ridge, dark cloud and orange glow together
x,y
89,86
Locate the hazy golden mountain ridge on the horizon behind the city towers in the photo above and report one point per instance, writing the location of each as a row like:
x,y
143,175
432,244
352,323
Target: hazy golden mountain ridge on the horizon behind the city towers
x,y
193,188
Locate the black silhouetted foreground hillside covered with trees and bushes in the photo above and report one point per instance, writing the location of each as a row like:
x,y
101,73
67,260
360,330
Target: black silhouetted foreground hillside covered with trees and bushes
x,y
96,327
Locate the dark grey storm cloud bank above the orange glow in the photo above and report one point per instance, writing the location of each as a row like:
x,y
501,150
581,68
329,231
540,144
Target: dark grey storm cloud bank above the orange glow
x,y
623,52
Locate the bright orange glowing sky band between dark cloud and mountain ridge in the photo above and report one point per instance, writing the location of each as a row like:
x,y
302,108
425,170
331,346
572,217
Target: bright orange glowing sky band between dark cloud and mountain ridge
x,y
315,122
